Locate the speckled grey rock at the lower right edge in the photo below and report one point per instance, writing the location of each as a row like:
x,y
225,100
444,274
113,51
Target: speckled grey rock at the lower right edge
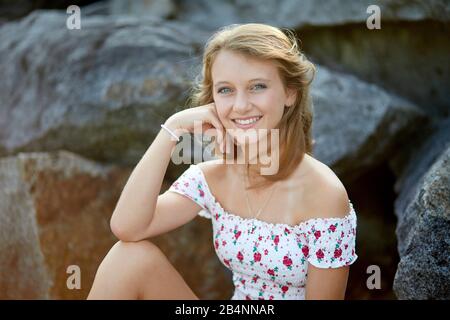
x,y
423,228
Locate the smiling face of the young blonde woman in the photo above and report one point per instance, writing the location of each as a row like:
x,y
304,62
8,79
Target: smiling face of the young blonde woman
x,y
248,93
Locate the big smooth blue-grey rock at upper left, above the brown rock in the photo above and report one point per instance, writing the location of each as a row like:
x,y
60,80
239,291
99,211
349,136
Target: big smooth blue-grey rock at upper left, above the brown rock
x,y
101,91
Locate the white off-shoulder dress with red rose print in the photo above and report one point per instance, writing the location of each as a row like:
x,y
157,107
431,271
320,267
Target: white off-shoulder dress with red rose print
x,y
270,261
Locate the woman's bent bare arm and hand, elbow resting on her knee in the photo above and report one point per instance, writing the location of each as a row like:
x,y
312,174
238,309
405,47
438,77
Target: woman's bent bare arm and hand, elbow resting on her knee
x,y
140,211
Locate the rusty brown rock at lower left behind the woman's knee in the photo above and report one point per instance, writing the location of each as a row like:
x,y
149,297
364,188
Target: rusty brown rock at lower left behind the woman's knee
x,y
54,212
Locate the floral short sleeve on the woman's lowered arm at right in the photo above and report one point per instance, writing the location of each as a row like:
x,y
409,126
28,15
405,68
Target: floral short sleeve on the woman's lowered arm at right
x,y
332,241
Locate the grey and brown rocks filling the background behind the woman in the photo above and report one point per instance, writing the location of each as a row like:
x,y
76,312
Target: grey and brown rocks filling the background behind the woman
x,y
78,108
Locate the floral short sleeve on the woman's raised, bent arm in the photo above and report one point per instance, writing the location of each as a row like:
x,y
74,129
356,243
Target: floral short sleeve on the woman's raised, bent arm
x,y
192,184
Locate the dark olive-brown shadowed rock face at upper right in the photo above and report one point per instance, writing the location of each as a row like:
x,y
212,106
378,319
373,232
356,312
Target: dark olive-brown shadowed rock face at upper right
x,y
399,58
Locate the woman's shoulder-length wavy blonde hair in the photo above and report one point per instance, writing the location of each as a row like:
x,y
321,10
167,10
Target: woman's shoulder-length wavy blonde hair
x,y
296,72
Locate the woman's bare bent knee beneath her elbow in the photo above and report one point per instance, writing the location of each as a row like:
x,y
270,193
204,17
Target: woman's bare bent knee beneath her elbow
x,y
138,270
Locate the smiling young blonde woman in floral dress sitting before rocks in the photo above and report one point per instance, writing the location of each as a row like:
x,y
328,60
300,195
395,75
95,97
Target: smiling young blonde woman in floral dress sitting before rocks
x,y
286,235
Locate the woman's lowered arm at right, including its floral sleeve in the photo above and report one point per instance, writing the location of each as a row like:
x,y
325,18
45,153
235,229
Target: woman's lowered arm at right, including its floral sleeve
x,y
331,246
